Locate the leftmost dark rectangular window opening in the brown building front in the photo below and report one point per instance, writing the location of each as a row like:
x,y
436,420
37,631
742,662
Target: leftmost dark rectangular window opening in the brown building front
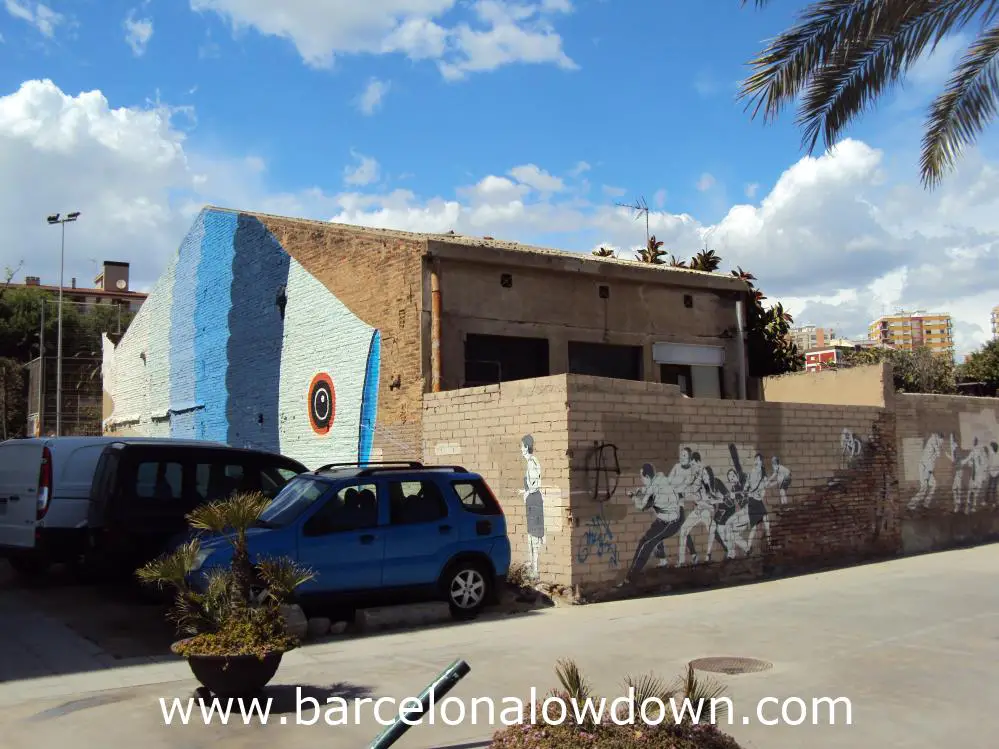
x,y
494,358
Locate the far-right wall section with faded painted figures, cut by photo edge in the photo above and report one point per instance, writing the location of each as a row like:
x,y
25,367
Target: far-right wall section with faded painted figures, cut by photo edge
x,y
948,464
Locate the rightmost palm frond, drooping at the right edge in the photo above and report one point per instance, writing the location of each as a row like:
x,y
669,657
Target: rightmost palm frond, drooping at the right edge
x,y
962,111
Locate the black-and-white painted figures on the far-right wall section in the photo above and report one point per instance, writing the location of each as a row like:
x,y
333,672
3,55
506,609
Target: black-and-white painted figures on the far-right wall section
x,y
972,457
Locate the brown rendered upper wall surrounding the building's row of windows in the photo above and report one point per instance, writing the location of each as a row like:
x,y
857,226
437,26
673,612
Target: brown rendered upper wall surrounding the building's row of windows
x,y
563,304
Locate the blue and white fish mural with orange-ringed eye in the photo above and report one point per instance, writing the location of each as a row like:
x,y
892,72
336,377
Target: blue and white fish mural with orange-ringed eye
x,y
239,343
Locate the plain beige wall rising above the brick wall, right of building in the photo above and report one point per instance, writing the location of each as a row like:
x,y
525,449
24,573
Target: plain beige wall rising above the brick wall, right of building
x,y
855,386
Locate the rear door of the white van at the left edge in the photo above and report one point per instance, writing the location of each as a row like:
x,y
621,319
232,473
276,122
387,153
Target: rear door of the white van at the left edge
x,y
20,469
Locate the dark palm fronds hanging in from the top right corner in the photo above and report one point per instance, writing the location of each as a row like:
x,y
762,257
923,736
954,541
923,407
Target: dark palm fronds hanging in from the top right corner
x,y
841,56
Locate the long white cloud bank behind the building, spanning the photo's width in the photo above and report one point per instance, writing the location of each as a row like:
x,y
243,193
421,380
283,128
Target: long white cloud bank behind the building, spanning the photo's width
x,y
836,238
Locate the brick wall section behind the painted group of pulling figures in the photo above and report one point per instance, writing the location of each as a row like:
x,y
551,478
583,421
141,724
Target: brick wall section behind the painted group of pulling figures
x,y
840,503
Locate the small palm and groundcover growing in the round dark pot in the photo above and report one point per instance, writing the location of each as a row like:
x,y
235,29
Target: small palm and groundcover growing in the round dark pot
x,y
239,611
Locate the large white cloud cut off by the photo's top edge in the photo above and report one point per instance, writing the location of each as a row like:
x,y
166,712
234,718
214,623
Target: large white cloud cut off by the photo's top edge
x,y
503,33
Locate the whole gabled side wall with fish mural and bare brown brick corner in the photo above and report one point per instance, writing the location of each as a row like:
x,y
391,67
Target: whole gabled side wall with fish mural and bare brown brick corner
x,y
289,336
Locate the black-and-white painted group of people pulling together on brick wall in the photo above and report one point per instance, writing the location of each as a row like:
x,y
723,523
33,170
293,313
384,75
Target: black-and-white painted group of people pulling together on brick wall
x,y
691,500
